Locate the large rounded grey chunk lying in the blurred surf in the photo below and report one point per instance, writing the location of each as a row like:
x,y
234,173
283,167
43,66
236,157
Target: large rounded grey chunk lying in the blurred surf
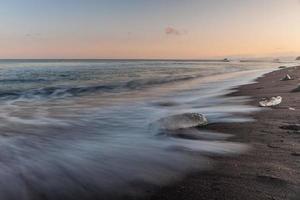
x,y
183,121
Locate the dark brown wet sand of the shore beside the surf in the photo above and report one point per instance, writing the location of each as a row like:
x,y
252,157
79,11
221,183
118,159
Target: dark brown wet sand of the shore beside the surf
x,y
271,169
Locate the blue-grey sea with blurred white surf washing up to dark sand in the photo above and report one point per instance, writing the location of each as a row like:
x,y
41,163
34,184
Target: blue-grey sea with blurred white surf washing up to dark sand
x,y
86,129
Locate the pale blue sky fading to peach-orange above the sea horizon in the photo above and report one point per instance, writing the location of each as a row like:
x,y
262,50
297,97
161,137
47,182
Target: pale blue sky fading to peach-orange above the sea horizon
x,y
150,29
